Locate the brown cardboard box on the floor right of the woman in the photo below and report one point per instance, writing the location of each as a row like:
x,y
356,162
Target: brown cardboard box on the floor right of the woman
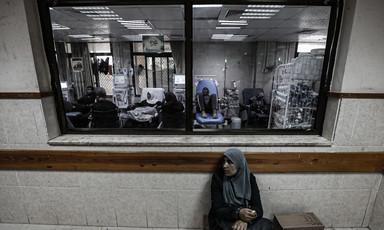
x,y
297,221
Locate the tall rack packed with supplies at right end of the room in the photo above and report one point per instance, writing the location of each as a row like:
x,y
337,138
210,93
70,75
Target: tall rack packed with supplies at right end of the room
x,y
295,88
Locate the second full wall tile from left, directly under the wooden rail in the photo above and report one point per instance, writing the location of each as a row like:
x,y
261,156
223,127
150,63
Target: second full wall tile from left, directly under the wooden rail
x,y
113,180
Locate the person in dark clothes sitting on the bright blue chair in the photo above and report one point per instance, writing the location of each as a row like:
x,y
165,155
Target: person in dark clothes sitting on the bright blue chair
x,y
207,103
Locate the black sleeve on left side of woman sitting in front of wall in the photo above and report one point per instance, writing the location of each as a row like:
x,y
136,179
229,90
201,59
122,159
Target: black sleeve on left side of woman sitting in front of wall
x,y
218,206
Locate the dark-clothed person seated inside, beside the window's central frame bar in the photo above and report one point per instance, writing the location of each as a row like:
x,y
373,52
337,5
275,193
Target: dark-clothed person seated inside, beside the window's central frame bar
x,y
173,115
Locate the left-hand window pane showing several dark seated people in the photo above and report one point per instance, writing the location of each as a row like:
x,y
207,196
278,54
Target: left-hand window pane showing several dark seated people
x,y
121,67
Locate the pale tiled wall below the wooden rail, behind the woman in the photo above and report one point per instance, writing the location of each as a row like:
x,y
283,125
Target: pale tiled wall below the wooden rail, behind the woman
x,y
174,200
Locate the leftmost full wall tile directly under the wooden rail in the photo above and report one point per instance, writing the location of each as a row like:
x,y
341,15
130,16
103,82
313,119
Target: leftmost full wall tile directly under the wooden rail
x,y
48,178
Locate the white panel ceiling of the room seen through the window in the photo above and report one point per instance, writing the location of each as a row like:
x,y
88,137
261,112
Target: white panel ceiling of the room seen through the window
x,y
290,24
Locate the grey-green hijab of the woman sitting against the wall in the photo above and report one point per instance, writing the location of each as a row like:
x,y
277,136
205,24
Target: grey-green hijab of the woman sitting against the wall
x,y
237,189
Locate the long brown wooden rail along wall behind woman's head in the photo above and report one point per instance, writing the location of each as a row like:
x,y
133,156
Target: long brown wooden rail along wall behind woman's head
x,y
189,162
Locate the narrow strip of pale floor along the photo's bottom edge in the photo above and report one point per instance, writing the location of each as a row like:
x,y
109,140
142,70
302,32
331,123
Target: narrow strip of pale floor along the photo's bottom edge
x,y
4,226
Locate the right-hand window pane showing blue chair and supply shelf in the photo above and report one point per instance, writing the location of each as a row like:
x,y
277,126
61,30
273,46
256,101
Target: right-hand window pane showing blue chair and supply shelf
x,y
248,72
